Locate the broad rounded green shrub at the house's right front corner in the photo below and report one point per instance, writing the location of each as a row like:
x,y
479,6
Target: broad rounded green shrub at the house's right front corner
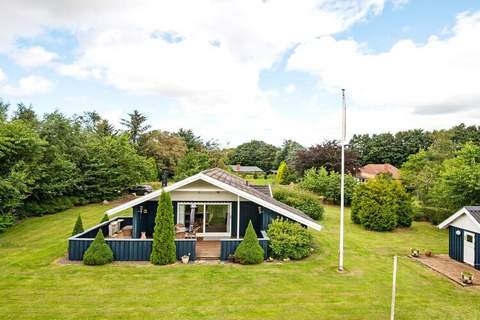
x,y
289,240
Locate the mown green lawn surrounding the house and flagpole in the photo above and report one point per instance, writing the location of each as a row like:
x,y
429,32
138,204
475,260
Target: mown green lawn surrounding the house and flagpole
x,y
33,285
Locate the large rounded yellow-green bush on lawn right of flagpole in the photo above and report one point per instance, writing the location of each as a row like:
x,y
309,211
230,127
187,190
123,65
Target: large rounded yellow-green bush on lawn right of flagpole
x,y
381,204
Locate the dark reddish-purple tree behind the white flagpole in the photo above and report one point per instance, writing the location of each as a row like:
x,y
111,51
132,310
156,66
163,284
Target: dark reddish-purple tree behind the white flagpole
x,y
326,155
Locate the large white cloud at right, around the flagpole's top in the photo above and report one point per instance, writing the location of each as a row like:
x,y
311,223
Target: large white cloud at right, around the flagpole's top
x,y
440,76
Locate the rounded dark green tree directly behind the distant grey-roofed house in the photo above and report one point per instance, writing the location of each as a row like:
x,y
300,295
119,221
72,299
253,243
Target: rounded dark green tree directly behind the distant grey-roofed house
x,y
255,153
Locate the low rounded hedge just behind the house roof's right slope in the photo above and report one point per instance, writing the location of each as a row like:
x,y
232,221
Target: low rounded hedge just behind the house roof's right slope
x,y
301,200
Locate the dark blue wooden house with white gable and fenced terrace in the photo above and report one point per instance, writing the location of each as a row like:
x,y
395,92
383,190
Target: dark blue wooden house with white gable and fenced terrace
x,y
211,212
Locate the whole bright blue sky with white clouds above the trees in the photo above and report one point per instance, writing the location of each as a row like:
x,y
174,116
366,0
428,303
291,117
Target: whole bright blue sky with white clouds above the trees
x,y
242,70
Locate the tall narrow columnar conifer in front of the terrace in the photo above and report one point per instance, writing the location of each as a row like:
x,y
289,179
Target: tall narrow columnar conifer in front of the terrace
x,y
163,247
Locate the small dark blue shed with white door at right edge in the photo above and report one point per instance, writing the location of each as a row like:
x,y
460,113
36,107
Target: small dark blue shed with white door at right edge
x,y
464,235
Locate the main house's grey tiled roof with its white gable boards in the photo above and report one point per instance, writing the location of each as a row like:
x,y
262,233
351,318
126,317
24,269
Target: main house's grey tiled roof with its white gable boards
x,y
235,185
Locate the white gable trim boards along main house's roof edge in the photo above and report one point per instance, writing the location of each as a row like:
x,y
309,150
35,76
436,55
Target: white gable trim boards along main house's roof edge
x,y
224,186
